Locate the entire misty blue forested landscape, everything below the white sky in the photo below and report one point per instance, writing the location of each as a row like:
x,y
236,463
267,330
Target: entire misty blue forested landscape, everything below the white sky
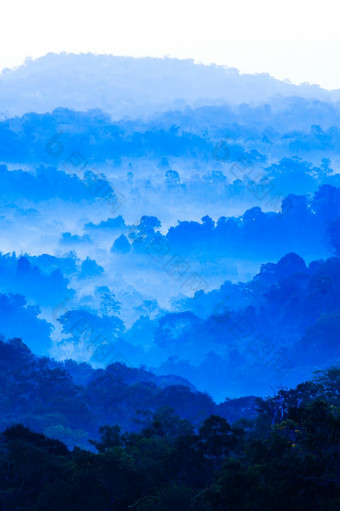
x,y
169,291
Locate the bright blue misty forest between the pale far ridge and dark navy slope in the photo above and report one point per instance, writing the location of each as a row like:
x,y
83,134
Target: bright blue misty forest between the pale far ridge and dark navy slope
x,y
93,205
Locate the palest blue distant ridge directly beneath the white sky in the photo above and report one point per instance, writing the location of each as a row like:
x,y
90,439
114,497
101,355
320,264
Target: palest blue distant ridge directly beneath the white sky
x,y
125,86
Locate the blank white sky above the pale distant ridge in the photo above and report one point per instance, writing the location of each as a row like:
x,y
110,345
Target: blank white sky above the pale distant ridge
x,y
294,39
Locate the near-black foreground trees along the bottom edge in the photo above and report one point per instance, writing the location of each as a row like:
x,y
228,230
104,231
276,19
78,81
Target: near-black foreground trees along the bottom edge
x,y
288,459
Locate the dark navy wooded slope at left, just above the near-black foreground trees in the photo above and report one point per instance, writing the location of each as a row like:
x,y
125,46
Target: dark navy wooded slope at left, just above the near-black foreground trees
x,y
71,401
